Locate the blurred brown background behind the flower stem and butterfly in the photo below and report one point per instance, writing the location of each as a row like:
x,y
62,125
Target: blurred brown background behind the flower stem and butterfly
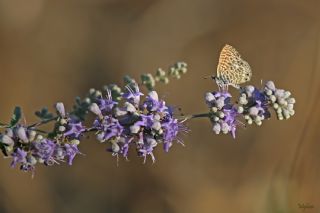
x,y
55,50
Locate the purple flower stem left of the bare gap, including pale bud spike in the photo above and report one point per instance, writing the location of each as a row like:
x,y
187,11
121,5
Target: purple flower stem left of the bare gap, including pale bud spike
x,y
121,120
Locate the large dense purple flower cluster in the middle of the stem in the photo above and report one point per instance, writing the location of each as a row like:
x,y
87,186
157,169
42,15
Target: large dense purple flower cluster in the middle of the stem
x,y
141,124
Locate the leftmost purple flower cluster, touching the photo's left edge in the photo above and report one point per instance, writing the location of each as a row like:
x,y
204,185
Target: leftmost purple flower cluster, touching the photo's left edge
x,y
27,147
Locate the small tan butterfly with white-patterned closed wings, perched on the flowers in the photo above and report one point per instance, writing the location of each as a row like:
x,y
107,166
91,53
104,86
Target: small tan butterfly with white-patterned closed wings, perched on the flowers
x,y
232,69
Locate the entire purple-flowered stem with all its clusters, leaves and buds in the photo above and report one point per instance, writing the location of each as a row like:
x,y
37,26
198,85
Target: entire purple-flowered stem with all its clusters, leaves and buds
x,y
127,119
